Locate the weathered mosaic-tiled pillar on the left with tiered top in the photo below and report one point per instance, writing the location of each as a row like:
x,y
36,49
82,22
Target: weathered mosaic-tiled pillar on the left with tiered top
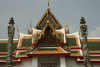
x,y
11,29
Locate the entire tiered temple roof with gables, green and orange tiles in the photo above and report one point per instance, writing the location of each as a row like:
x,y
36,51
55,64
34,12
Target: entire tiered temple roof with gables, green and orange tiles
x,y
49,39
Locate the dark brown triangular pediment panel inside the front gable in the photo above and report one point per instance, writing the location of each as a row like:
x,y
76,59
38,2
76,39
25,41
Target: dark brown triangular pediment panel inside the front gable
x,y
48,39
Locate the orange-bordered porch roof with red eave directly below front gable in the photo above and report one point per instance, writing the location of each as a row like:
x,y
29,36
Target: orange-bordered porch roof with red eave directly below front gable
x,y
49,50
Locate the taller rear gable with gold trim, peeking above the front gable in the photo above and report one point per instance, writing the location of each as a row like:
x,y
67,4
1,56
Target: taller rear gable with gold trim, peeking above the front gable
x,y
54,22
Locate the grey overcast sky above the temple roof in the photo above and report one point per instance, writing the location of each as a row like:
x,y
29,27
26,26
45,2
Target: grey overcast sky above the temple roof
x,y
24,11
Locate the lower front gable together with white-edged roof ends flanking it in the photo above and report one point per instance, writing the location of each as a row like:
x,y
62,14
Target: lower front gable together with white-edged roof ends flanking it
x,y
48,36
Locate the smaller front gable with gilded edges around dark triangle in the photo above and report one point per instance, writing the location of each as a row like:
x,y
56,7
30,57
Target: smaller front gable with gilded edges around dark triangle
x,y
47,37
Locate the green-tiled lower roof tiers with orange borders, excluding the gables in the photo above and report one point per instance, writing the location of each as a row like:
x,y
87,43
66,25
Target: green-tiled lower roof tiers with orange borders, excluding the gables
x,y
72,40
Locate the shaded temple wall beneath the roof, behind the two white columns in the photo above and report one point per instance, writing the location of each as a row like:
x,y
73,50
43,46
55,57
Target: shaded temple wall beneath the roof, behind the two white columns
x,y
70,62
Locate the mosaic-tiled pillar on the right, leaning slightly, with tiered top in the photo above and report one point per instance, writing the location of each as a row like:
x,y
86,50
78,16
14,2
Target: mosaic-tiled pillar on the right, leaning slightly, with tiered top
x,y
84,34
